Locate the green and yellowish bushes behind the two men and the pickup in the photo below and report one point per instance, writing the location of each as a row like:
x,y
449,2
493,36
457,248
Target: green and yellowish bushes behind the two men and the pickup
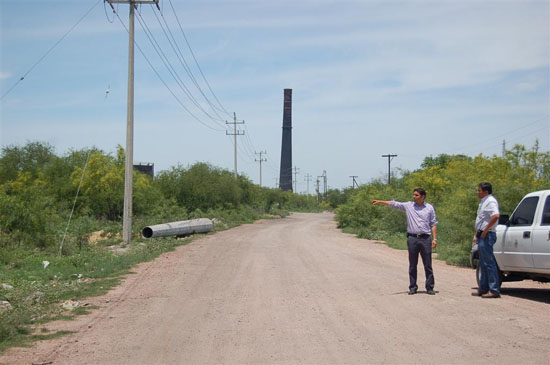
x,y
451,186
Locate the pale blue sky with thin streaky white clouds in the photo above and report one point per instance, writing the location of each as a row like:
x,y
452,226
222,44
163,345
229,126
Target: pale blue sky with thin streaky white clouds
x,y
369,78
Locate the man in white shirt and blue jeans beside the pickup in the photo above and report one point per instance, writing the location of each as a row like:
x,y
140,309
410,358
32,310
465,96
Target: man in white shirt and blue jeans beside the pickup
x,y
485,237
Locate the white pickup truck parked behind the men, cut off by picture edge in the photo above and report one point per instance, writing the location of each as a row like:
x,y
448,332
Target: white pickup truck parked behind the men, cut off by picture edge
x,y
522,249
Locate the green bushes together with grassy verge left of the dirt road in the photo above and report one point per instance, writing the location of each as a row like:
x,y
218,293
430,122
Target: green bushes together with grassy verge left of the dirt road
x,y
37,193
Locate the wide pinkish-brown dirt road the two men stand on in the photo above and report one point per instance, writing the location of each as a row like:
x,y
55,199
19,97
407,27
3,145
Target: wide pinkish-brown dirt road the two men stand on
x,y
297,290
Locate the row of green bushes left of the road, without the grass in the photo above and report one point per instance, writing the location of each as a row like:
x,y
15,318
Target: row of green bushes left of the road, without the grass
x,y
38,190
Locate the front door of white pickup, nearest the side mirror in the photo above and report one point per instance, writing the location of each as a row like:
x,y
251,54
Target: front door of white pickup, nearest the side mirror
x,y
518,237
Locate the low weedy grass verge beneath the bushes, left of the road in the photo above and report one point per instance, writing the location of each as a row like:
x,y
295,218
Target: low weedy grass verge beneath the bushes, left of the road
x,y
38,291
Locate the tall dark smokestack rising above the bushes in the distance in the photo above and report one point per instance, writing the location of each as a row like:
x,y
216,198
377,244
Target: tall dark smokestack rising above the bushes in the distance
x,y
285,178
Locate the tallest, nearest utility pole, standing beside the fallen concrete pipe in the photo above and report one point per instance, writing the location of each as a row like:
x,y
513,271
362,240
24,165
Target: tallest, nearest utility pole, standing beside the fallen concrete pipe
x,y
129,166
